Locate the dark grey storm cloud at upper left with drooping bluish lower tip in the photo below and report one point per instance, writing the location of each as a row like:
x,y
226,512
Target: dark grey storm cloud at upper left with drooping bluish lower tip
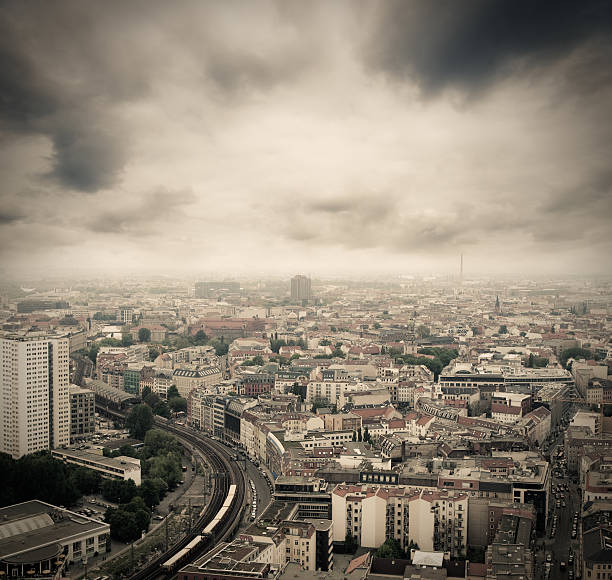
x,y
38,98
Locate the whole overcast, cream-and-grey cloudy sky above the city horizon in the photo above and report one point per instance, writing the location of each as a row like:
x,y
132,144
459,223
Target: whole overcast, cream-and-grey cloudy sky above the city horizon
x,y
297,136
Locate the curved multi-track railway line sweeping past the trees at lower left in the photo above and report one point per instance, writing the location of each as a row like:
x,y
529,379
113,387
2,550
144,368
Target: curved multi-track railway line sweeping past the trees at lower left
x,y
217,458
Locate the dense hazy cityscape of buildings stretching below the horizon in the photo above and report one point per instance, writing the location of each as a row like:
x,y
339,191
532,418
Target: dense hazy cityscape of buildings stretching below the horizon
x,y
443,427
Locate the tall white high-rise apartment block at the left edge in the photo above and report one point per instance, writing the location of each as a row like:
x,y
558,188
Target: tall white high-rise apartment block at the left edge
x,y
34,399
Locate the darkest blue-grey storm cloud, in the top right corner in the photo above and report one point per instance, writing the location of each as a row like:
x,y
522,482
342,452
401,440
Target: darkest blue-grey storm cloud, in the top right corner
x,y
469,44
